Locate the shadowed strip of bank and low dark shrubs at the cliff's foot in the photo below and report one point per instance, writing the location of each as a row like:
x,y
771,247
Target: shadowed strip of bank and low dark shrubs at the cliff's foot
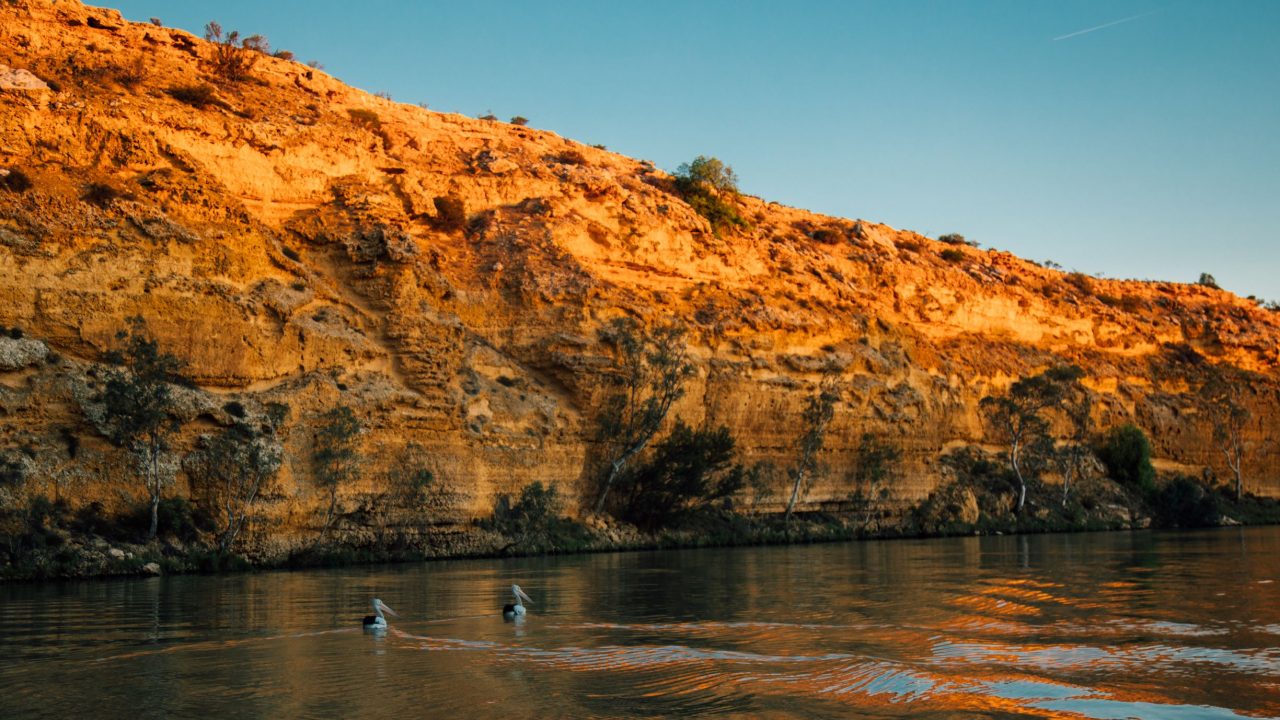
x,y
57,544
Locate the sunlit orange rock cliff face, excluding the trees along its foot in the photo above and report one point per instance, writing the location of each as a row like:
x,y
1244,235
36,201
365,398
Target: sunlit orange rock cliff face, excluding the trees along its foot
x,y
284,240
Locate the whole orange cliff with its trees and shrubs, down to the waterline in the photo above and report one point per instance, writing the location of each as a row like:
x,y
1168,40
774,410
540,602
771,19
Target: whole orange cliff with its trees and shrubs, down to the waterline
x,y
353,326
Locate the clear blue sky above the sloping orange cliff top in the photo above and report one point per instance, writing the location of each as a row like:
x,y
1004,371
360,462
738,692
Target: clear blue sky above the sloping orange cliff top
x,y
1146,149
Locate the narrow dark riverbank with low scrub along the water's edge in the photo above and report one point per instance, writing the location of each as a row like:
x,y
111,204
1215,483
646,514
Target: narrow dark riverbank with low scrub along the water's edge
x,y
63,554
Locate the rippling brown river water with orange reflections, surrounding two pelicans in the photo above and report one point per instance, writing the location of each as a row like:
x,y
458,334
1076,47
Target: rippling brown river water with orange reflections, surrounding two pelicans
x,y
1176,626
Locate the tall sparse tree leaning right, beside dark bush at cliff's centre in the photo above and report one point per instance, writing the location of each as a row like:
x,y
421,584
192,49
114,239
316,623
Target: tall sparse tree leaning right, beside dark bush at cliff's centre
x,y
650,379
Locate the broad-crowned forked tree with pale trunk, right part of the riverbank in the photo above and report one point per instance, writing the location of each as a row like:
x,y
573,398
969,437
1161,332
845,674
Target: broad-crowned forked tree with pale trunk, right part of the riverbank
x,y
1018,417
